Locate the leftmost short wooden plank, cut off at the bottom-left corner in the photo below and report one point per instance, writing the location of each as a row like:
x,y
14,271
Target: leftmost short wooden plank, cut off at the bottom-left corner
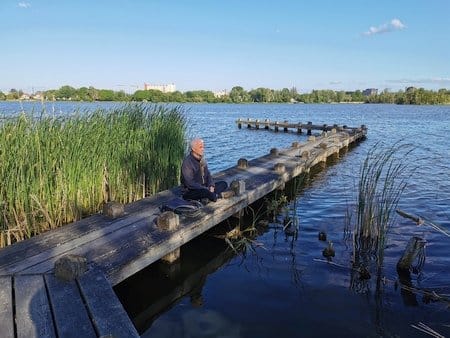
x,y
6,307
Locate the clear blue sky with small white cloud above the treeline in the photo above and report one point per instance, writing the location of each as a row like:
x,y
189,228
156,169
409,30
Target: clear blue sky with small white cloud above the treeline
x,y
215,45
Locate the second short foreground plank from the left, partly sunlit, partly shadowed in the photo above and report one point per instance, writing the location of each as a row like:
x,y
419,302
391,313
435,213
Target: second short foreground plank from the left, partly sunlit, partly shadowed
x,y
33,314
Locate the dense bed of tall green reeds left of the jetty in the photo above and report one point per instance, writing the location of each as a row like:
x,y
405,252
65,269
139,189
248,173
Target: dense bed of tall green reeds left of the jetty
x,y
56,170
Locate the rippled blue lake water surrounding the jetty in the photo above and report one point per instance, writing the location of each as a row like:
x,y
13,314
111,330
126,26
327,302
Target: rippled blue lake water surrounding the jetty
x,y
280,288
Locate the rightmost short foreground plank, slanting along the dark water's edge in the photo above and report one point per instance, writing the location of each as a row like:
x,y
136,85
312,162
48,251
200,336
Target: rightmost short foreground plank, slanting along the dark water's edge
x,y
107,313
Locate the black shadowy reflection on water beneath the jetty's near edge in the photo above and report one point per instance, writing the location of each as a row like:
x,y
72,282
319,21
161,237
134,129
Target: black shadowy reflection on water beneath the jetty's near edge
x,y
166,284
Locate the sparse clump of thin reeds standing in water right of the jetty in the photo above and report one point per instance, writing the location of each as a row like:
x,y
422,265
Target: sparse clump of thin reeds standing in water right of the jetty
x,y
382,180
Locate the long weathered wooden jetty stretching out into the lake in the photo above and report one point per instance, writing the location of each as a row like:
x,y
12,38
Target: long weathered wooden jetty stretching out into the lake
x,y
33,303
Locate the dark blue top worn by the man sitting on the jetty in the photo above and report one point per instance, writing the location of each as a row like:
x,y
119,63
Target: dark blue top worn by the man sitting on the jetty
x,y
195,173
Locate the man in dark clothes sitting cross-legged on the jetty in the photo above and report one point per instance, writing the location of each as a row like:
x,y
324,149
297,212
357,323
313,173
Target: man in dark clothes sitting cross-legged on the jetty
x,y
196,178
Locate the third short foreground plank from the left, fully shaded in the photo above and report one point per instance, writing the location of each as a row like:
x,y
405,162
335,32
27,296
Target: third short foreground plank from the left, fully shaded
x,y
71,316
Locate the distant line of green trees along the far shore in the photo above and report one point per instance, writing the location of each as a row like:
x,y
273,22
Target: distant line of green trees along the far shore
x,y
410,95
